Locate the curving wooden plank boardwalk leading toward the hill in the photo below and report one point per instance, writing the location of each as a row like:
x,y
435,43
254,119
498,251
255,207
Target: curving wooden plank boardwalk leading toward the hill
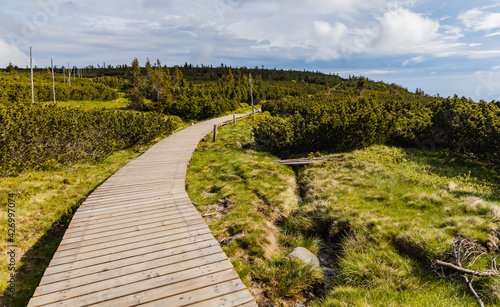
x,y
138,240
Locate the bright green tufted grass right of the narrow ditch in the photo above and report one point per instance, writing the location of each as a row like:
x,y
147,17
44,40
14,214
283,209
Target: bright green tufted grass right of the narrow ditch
x,y
389,212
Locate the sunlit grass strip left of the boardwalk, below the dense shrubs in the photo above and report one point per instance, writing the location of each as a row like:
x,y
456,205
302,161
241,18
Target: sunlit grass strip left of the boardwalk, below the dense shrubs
x,y
45,203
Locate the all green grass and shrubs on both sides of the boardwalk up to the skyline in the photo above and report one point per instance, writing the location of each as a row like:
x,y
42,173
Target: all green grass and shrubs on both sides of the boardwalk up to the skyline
x,y
377,214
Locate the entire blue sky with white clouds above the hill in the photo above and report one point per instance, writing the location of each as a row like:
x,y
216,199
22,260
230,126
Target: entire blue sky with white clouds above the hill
x,y
441,47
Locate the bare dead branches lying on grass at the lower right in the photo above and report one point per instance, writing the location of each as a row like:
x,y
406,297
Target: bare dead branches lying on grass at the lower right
x,y
464,254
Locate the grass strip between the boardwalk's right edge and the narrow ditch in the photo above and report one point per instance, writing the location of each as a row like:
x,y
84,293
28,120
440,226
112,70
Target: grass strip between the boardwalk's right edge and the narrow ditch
x,y
244,197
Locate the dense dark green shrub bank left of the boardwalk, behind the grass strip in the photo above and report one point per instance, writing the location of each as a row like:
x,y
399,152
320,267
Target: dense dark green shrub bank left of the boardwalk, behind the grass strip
x,y
37,136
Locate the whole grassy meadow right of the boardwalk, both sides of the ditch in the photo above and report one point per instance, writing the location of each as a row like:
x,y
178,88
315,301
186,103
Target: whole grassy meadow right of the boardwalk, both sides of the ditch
x,y
377,217
